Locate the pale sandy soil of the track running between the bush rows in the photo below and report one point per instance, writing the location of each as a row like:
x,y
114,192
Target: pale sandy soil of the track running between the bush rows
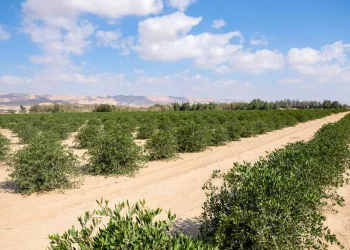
x,y
25,222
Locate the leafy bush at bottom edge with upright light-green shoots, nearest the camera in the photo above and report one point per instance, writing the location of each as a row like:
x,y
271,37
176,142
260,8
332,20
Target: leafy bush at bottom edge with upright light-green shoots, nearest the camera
x,y
136,229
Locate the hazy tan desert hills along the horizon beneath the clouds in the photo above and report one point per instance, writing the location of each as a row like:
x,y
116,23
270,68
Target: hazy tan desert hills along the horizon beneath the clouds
x,y
12,100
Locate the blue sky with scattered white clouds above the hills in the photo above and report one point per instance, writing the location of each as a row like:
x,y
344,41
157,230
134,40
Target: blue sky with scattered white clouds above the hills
x,y
222,49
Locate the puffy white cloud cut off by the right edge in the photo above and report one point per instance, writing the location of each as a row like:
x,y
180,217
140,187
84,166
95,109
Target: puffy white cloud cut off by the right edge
x,y
330,63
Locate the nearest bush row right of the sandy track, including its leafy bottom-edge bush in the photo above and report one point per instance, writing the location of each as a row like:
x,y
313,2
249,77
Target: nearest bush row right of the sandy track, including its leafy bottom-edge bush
x,y
276,203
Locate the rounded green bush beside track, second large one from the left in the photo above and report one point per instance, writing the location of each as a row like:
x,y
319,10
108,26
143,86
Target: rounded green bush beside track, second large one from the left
x,y
115,153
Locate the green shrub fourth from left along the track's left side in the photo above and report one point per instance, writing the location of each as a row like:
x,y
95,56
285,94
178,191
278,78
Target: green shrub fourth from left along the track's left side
x,y
192,137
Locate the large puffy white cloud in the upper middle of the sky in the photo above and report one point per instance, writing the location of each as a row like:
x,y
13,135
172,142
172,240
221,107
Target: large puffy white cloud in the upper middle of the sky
x,y
167,38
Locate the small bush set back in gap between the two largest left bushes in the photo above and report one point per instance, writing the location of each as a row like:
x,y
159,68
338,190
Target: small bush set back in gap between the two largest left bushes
x,y
87,136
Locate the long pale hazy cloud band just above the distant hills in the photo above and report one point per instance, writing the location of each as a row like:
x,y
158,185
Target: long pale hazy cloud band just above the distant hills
x,y
48,82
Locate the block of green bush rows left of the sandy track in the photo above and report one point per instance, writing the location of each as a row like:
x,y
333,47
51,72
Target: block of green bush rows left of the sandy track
x,y
109,138
